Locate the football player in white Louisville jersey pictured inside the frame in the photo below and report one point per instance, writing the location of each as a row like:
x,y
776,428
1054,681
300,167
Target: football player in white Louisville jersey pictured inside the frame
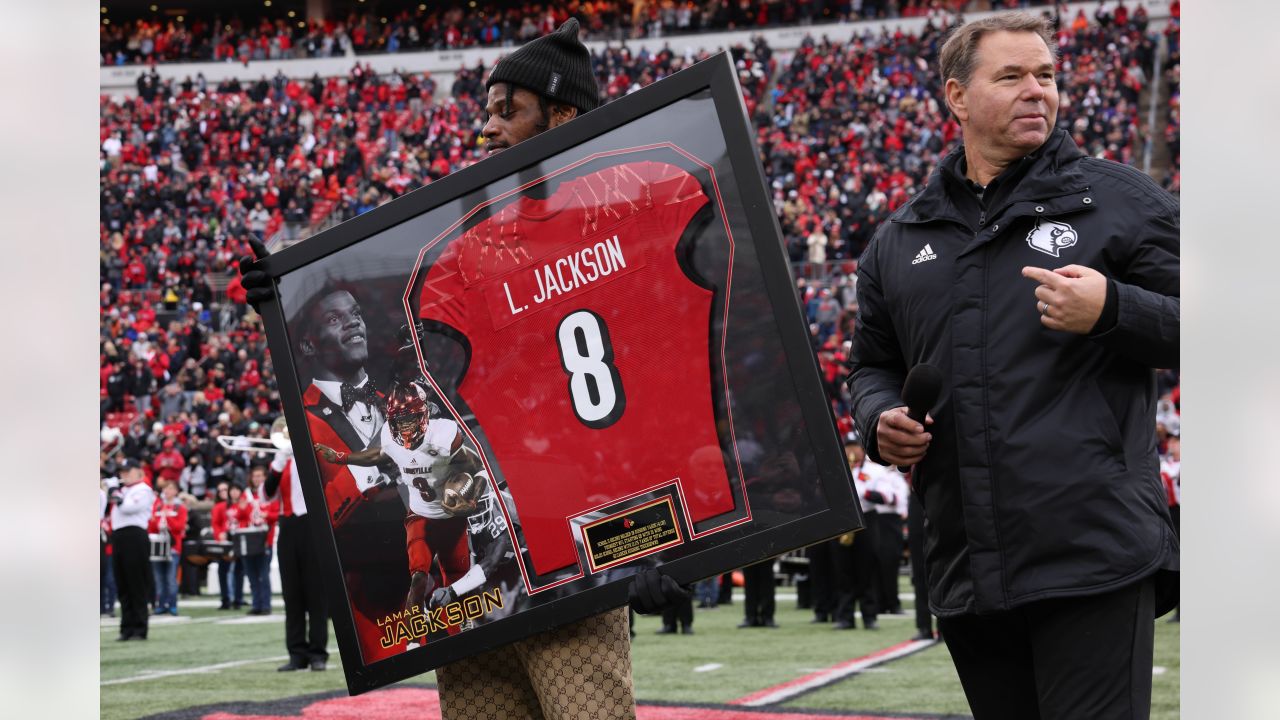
x,y
429,454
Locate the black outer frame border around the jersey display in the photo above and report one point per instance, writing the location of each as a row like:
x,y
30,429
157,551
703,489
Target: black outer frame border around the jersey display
x,y
715,78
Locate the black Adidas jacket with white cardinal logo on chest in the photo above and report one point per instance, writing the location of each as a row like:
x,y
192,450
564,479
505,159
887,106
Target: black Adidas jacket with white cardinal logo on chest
x,y
1043,479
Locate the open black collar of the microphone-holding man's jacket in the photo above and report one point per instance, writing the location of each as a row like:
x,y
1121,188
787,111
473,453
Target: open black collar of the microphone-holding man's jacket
x,y
1053,171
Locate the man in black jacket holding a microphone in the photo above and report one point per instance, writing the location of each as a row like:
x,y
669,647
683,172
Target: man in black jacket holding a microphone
x,y
1046,288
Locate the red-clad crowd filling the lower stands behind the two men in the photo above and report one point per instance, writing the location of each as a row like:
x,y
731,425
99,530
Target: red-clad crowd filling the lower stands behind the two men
x,y
848,134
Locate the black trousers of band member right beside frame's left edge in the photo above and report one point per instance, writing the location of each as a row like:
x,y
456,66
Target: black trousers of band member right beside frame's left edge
x,y
307,625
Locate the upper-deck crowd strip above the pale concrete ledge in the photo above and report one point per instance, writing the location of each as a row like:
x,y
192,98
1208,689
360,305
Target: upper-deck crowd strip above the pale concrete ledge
x,y
400,28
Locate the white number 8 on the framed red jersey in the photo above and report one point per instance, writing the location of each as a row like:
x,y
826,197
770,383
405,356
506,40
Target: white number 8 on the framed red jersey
x,y
587,356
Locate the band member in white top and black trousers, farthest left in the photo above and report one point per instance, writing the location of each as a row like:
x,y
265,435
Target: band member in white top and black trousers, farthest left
x,y
131,550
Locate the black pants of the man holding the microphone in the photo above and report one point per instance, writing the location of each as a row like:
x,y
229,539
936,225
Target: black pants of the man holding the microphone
x,y
1059,659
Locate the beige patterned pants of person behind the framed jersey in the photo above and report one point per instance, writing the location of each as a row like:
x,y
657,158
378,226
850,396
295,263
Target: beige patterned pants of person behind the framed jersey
x,y
577,672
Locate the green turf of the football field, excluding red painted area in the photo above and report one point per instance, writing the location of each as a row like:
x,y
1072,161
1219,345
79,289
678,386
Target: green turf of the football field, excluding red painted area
x,y
204,660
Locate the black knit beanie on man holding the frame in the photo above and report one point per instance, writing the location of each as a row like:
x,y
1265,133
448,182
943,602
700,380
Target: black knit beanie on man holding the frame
x,y
557,67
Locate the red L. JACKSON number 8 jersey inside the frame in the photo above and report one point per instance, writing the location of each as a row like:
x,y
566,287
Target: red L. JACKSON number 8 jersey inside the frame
x,y
589,348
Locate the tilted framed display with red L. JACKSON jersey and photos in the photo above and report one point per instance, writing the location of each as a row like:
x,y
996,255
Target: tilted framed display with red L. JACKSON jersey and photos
x,y
515,388
